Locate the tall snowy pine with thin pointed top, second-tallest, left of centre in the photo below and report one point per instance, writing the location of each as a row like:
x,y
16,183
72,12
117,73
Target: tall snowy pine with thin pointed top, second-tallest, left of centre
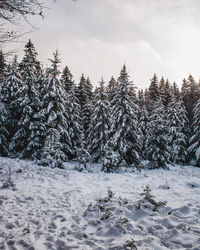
x,y
55,115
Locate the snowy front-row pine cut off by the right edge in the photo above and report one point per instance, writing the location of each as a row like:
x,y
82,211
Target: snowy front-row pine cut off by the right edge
x,y
195,139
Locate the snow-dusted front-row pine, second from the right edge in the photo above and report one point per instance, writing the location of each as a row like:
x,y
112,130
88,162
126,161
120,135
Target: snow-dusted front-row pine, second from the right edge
x,y
178,126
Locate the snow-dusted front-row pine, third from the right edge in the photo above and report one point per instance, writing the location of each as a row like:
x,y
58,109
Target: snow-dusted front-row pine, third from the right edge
x,y
158,139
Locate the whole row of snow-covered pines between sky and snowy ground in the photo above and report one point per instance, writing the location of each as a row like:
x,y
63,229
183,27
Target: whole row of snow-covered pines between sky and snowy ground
x,y
46,117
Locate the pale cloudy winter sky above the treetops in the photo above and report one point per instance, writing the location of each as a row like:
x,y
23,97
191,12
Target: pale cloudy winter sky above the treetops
x,y
96,37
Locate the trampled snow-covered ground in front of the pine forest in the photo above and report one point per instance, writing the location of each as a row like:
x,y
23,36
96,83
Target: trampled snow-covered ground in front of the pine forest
x,y
64,209
